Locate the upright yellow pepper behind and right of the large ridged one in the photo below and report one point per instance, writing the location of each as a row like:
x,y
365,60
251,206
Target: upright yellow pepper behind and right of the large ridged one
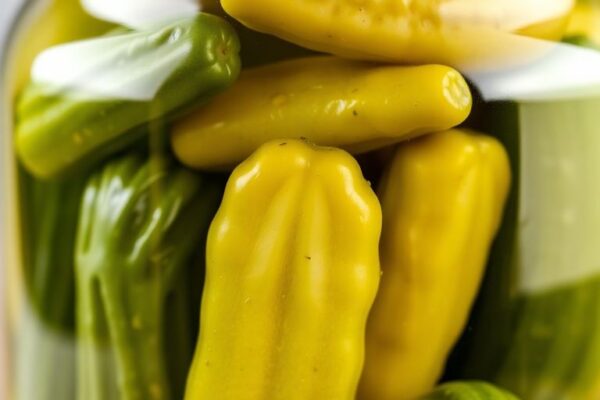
x,y
442,199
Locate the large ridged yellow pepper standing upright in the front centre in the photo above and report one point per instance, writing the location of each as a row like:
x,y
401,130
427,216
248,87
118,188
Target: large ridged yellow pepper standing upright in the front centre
x,y
292,271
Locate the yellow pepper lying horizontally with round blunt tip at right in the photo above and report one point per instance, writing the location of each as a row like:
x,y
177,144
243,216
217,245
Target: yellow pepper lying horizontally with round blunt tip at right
x,y
330,101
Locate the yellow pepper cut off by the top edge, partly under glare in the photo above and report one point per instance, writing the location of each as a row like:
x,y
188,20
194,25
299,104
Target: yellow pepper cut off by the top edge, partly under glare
x,y
409,31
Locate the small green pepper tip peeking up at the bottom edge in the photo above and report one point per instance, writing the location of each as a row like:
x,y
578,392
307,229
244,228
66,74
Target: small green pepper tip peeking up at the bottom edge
x,y
469,390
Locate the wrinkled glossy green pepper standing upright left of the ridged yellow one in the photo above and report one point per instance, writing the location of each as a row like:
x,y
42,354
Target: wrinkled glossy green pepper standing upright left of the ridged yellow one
x,y
140,223
